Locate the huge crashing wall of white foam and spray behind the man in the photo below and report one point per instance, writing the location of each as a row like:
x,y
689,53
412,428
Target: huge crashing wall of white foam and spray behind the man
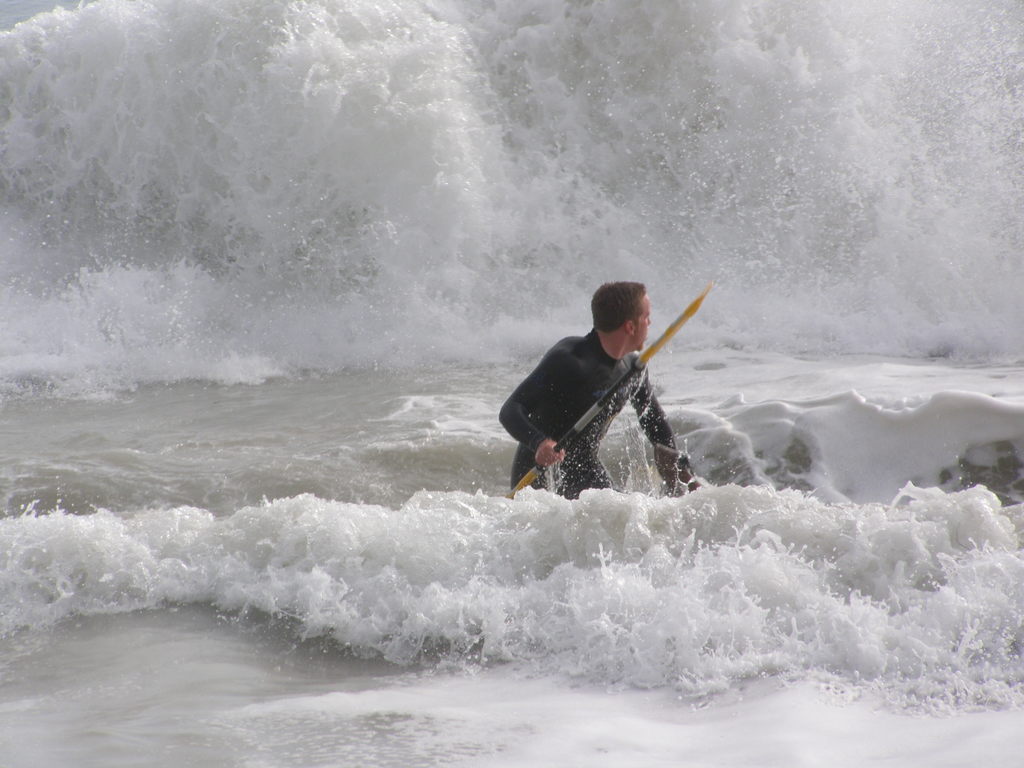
x,y
450,181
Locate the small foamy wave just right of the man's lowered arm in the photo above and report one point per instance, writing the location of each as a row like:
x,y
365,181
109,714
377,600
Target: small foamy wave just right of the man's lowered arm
x,y
846,448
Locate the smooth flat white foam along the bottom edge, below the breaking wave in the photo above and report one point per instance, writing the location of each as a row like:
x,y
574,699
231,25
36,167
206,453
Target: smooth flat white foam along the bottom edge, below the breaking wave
x,y
499,719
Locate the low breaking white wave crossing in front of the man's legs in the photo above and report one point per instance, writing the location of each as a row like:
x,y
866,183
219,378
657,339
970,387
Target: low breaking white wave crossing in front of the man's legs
x,y
918,601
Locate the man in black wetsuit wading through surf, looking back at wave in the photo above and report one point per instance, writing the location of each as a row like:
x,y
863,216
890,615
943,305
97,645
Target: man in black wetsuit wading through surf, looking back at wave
x,y
571,378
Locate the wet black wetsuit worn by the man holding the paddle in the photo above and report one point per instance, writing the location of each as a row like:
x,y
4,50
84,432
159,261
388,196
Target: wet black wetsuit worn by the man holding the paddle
x,y
569,380
